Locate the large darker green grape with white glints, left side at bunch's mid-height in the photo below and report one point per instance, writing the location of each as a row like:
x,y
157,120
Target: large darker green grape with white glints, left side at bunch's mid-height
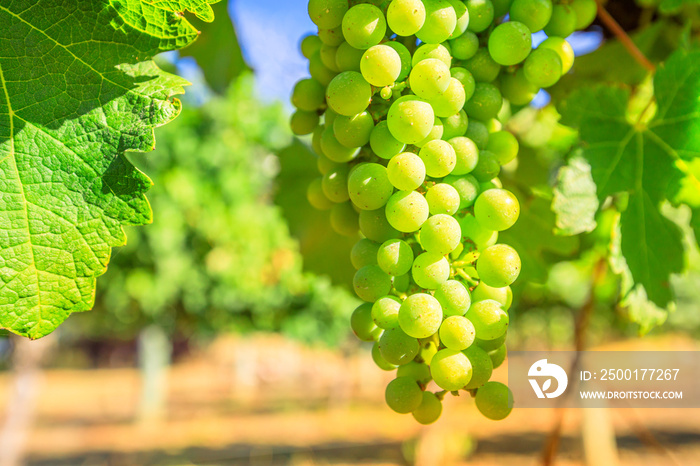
x,y
369,186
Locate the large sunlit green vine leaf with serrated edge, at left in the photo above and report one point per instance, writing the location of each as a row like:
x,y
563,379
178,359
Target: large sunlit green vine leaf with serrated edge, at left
x,y
78,89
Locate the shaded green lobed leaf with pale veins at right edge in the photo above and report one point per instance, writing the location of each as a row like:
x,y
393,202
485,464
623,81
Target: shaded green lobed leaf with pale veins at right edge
x,y
643,160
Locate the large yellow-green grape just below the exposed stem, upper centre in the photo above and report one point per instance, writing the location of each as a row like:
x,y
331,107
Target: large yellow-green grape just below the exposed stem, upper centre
x,y
410,119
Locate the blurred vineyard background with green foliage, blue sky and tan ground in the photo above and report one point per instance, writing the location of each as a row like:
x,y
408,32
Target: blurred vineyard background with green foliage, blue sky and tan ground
x,y
220,334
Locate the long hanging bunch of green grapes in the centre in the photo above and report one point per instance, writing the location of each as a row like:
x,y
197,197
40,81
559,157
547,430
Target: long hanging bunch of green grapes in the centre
x,y
409,152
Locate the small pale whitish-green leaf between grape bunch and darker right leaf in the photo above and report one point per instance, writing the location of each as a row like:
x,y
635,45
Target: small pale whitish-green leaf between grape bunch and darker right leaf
x,y
575,202
